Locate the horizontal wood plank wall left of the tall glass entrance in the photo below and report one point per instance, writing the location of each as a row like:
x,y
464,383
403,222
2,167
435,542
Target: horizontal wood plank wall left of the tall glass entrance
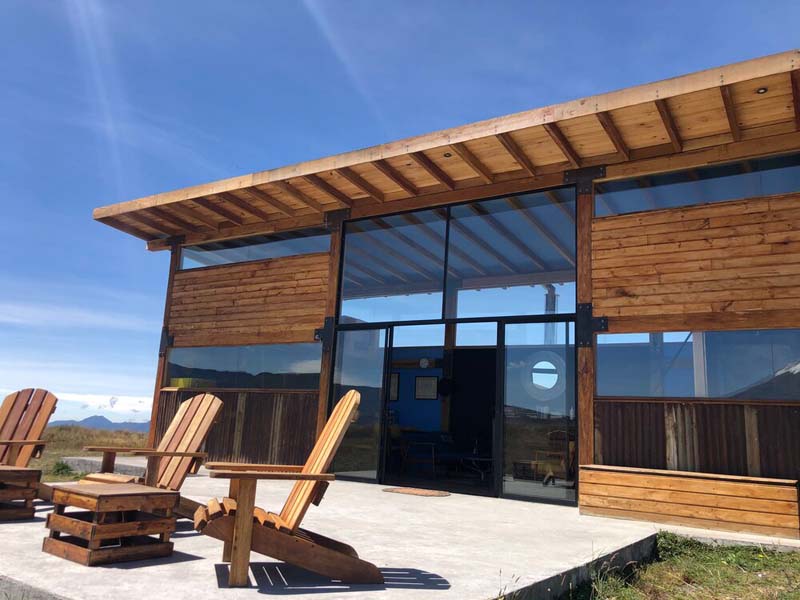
x,y
274,301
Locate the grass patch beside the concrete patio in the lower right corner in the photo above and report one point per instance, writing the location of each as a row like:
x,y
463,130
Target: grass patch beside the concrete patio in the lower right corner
x,y
687,569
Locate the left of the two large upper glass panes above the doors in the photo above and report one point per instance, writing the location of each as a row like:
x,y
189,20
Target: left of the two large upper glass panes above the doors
x,y
394,268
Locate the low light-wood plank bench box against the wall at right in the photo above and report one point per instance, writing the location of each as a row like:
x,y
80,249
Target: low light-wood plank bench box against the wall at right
x,y
749,504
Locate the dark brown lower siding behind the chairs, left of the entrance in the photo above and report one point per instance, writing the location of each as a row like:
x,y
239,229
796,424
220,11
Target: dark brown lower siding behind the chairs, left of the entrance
x,y
254,426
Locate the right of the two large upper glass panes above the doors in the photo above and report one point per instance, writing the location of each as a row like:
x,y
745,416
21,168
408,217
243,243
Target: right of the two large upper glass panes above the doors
x,y
513,256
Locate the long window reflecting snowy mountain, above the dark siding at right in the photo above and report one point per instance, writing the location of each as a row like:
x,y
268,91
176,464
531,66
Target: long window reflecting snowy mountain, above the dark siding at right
x,y
752,365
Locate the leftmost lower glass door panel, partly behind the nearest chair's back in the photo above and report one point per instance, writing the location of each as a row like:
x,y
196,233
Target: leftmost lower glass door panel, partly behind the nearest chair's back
x,y
359,365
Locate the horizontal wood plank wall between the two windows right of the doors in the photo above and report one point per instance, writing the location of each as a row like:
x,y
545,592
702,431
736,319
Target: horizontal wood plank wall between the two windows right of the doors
x,y
726,258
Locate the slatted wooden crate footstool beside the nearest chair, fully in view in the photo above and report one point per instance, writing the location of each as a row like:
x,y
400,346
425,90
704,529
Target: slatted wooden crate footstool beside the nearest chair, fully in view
x,y
116,524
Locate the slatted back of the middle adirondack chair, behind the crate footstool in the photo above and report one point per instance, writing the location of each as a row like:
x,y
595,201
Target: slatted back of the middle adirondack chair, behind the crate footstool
x,y
187,432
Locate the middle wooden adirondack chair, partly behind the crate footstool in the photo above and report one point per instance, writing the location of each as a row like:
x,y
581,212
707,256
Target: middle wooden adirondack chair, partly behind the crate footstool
x,y
177,455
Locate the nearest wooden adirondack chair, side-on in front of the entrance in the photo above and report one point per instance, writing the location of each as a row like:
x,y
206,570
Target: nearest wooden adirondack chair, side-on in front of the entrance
x,y
243,527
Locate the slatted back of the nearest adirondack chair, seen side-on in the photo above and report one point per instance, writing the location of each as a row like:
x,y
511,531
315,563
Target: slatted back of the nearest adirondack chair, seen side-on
x,y
319,461
